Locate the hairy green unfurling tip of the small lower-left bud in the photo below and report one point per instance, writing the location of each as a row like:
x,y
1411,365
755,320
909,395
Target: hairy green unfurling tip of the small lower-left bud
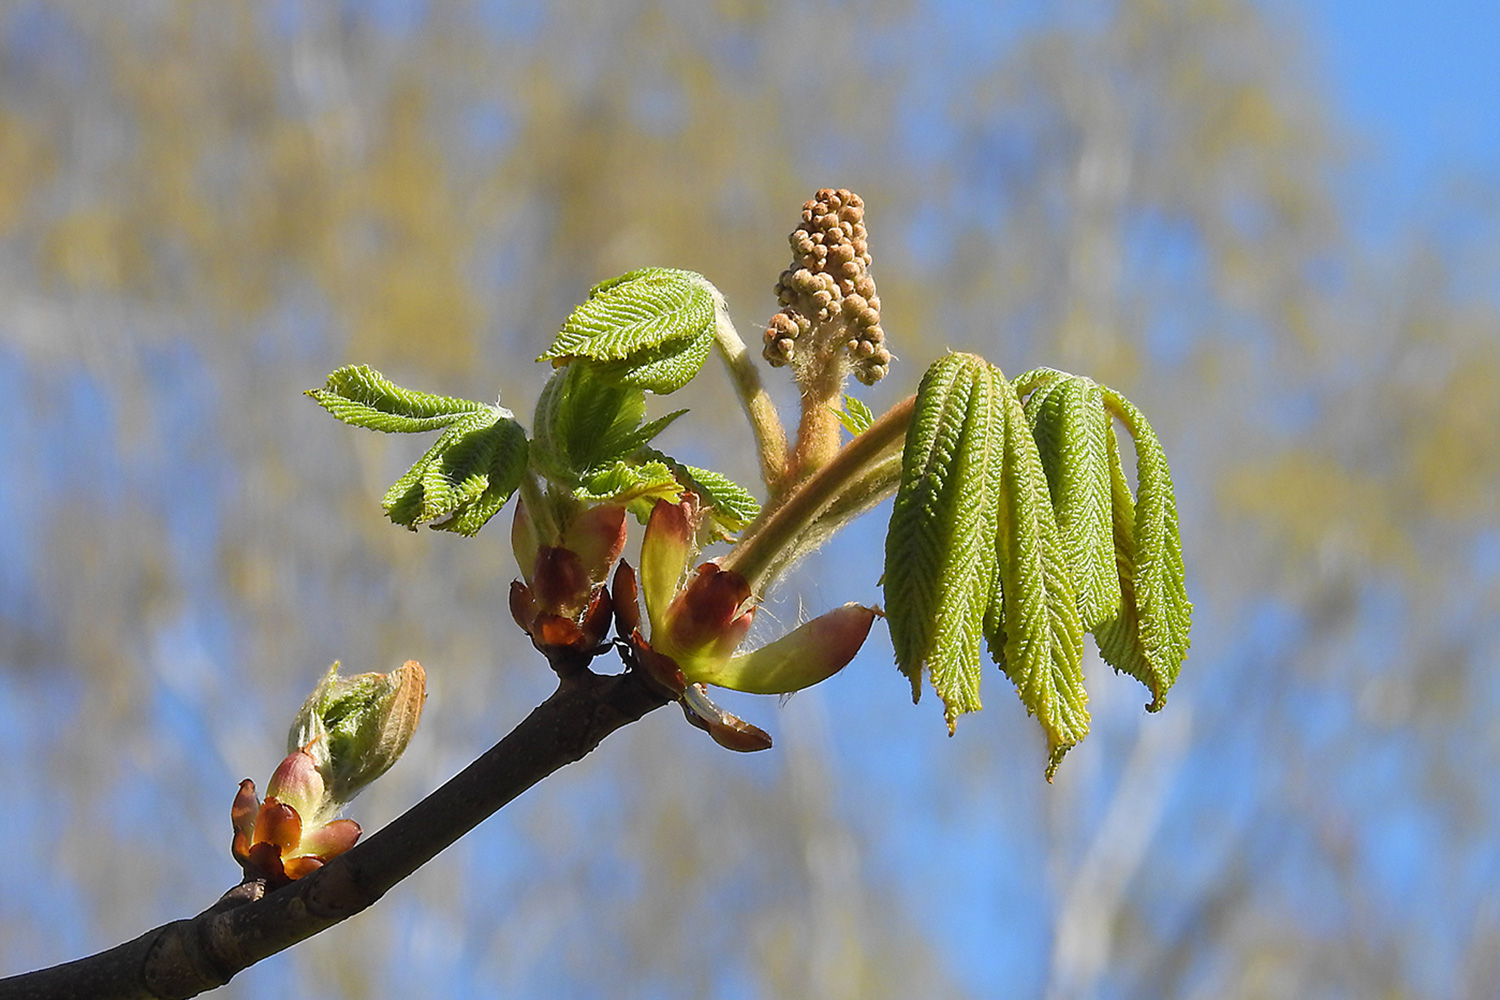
x,y
356,728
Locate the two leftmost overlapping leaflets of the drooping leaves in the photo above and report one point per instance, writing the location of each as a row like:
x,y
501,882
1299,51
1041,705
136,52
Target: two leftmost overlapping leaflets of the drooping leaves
x,y
940,552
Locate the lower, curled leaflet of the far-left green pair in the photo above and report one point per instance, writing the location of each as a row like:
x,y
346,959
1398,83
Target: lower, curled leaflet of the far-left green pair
x,y
466,478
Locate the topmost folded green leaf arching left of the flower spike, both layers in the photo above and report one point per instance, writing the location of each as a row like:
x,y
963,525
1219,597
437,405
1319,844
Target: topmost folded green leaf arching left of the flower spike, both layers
x,y
653,325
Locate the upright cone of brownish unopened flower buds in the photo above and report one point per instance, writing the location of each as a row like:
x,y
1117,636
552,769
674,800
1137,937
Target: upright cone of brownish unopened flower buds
x,y
829,299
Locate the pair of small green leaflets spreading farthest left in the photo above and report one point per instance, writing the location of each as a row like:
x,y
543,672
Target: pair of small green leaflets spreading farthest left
x,y
469,473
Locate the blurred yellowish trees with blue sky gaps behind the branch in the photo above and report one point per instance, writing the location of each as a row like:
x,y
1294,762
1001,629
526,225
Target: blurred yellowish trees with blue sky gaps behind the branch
x,y
208,208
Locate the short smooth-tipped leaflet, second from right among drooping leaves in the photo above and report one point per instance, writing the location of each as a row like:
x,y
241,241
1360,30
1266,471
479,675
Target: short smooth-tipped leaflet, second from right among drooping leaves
x,y
1072,430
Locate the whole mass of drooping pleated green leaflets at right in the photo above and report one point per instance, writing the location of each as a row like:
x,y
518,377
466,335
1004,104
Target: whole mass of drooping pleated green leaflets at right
x,y
1015,525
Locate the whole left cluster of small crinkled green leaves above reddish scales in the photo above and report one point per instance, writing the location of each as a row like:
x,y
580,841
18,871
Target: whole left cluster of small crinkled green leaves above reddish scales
x,y
649,331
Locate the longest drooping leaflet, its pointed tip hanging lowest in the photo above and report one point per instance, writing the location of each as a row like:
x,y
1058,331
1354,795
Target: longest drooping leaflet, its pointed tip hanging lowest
x,y
1039,641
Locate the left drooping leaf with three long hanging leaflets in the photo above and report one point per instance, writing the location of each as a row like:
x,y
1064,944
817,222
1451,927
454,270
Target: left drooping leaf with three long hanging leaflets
x,y
976,552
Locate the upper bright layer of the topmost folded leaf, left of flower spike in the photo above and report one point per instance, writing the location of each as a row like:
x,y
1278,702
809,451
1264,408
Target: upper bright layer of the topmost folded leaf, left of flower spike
x,y
640,311
